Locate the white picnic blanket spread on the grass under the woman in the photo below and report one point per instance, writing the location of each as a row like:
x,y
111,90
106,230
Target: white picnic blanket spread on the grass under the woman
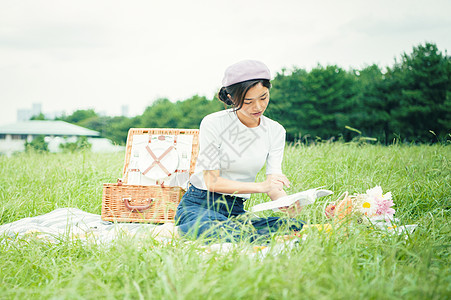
x,y
72,223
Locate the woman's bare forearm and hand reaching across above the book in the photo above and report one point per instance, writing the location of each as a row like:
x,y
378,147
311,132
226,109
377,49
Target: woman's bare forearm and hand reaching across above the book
x,y
273,185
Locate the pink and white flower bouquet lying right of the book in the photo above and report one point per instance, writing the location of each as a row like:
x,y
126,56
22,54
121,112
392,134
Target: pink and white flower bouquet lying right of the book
x,y
372,206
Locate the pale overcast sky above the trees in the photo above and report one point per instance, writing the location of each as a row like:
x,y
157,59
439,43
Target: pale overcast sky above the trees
x,y
103,54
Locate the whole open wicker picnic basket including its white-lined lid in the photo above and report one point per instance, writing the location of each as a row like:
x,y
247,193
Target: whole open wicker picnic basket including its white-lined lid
x,y
155,200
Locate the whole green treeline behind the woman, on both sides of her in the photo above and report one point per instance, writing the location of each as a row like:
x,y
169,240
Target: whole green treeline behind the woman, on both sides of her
x,y
409,101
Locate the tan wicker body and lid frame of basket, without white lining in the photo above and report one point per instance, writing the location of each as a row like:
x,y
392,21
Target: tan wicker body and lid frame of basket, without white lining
x,y
140,203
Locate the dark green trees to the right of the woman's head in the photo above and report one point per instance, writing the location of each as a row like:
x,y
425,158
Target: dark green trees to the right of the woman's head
x,y
409,101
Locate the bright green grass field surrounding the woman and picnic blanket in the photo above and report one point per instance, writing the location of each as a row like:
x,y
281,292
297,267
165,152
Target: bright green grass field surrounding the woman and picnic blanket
x,y
344,264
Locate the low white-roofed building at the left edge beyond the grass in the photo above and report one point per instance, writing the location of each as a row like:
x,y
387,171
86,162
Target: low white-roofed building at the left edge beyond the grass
x,y
14,136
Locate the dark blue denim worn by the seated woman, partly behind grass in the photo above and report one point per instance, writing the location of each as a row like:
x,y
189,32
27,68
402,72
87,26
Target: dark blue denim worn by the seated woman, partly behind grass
x,y
217,216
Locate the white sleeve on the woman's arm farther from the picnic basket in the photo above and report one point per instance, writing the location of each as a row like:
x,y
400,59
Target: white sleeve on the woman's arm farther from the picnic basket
x,y
277,146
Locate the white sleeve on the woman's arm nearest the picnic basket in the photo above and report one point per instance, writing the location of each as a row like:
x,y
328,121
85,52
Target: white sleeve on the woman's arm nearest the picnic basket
x,y
209,145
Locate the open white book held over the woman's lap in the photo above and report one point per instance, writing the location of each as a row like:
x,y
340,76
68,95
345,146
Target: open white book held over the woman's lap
x,y
304,198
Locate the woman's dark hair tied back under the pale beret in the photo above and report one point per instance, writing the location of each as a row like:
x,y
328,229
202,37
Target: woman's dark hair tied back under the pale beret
x,y
238,91
